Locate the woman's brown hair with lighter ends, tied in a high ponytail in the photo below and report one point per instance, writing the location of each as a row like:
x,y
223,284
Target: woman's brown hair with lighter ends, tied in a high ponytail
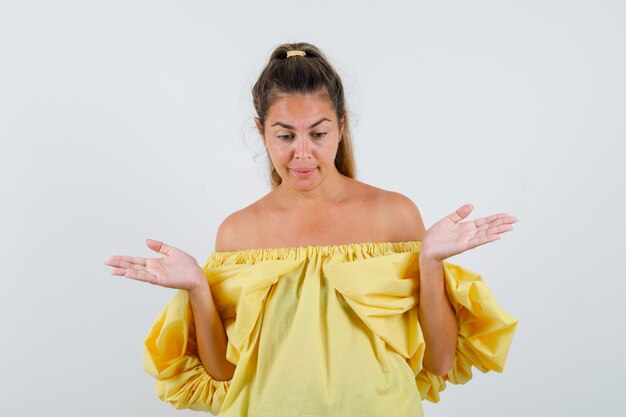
x,y
308,74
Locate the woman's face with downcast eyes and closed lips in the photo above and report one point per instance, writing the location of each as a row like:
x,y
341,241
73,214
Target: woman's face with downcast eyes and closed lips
x,y
302,134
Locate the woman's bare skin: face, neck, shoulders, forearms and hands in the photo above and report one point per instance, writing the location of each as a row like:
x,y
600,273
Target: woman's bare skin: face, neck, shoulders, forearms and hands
x,y
302,132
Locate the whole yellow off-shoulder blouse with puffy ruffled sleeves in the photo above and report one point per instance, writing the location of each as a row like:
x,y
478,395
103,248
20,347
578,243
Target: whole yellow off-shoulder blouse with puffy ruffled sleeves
x,y
323,331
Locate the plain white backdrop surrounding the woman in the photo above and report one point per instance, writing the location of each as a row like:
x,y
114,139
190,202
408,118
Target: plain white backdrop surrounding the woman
x,y
127,120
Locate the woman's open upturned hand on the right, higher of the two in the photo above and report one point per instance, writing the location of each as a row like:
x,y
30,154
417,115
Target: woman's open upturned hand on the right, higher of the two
x,y
449,236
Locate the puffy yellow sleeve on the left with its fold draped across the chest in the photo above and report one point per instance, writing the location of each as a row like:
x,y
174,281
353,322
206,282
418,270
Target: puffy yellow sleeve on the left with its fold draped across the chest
x,y
239,287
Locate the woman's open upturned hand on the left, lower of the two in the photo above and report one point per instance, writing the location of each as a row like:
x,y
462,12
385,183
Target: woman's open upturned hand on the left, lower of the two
x,y
175,269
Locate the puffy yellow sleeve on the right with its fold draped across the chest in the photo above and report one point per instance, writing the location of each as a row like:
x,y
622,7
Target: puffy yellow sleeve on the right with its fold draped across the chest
x,y
383,292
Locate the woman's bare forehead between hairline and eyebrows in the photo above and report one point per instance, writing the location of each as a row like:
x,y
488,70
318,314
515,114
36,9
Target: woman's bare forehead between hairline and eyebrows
x,y
300,109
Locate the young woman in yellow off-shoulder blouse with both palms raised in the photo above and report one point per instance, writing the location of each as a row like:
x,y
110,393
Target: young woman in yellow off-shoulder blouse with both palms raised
x,y
326,297
